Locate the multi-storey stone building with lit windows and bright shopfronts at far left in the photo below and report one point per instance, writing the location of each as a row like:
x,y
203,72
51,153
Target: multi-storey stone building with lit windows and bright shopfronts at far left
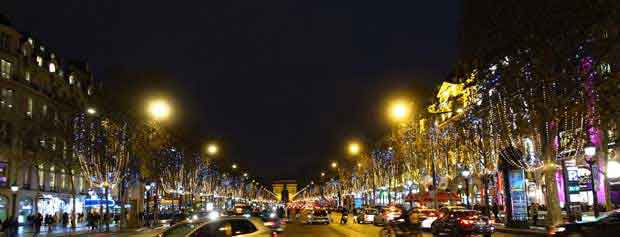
x,y
39,95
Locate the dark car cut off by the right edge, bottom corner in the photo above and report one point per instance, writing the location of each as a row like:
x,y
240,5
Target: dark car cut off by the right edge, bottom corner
x,y
606,225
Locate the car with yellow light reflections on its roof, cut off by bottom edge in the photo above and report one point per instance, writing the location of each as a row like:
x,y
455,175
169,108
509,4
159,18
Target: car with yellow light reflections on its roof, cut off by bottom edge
x,y
222,227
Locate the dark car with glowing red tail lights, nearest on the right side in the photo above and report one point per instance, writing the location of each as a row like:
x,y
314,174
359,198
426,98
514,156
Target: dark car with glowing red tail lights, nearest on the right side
x,y
461,222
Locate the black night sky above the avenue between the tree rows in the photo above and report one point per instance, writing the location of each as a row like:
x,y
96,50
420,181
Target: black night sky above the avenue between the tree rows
x,y
281,85
